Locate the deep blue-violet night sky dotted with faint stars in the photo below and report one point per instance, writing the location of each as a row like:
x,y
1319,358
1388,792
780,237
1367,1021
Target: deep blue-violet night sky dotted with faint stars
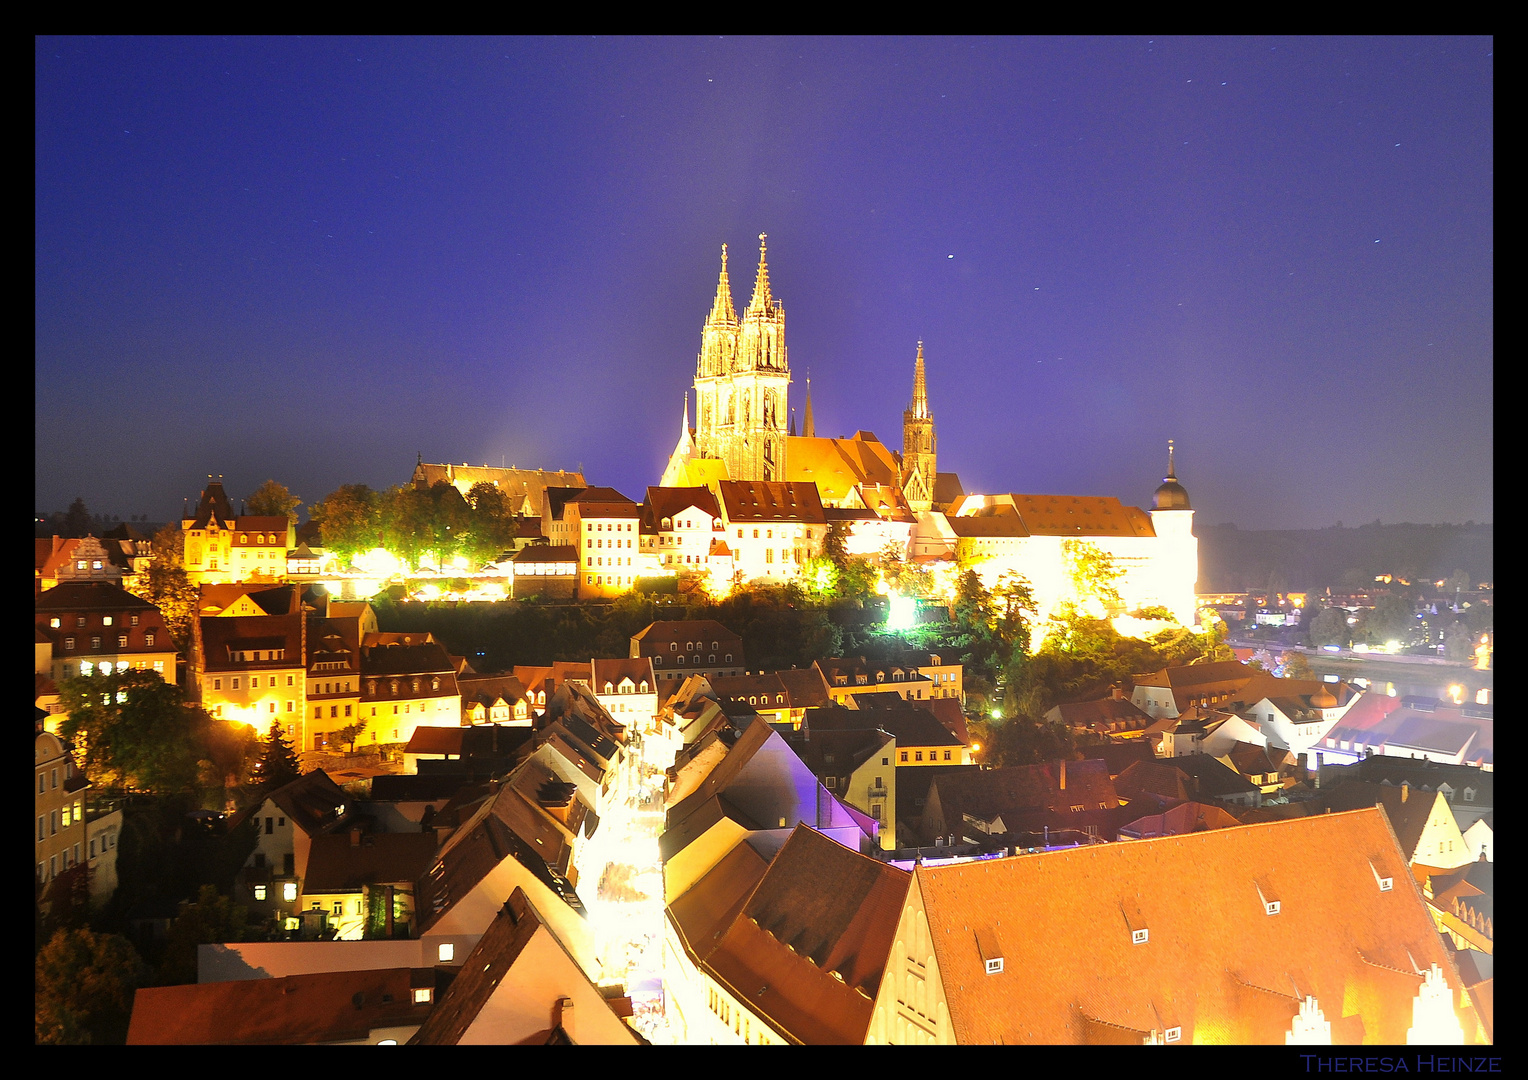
x,y
309,260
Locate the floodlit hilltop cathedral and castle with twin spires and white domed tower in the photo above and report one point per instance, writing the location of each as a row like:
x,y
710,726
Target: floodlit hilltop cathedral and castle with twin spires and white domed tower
x,y
745,433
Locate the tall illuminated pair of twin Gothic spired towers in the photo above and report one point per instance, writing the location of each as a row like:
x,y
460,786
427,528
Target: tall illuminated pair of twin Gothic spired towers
x,y
742,381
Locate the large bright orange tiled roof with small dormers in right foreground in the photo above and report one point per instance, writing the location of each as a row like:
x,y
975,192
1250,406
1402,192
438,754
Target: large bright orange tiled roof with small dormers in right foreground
x,y
1214,965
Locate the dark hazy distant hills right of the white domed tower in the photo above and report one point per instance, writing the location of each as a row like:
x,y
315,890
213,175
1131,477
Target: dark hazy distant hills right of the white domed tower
x,y
1237,561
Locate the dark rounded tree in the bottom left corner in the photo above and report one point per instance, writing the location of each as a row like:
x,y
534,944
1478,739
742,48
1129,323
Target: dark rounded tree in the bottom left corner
x,y
83,988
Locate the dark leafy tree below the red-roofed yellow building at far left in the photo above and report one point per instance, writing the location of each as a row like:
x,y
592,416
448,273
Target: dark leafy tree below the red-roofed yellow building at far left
x,y
135,731
